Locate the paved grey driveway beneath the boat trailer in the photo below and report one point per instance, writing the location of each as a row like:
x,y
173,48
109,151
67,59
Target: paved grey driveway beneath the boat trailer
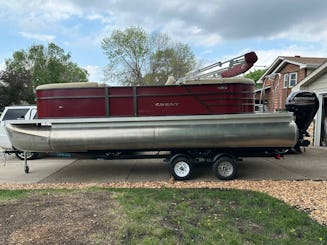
x,y
311,164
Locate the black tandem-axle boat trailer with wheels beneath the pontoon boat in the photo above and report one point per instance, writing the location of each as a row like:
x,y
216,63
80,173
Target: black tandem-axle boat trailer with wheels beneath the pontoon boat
x,y
182,163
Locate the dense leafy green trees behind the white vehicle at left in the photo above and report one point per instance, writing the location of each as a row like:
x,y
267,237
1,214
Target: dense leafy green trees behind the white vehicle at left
x,y
38,65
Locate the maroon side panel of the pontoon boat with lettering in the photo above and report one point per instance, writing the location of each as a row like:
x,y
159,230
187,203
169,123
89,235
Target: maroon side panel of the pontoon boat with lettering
x,y
194,99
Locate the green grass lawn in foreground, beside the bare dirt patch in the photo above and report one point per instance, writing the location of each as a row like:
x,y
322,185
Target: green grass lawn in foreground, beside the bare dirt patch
x,y
201,216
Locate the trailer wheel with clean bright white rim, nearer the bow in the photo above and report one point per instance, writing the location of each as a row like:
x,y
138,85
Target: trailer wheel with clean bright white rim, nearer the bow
x,y
181,168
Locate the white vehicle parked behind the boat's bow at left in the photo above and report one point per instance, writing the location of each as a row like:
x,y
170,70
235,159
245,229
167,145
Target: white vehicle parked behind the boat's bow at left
x,y
15,113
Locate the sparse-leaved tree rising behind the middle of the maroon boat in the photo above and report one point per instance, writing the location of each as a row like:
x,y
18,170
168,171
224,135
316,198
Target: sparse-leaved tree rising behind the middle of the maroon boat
x,y
137,58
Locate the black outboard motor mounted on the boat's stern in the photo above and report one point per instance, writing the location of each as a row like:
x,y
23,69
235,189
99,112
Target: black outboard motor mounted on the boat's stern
x,y
304,105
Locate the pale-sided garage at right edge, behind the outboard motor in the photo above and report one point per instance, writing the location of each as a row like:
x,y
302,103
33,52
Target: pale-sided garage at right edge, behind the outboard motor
x,y
317,82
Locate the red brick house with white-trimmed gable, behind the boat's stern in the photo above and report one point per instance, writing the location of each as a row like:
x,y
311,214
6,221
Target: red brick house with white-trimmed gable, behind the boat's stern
x,y
279,79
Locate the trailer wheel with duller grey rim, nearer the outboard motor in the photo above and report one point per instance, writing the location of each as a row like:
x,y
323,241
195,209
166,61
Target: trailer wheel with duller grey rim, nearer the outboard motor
x,y
225,168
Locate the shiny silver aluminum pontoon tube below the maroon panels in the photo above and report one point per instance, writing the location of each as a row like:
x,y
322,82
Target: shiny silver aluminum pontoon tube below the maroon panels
x,y
155,133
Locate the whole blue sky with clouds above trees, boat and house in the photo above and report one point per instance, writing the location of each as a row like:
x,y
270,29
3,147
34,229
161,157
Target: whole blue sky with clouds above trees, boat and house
x,y
215,29
